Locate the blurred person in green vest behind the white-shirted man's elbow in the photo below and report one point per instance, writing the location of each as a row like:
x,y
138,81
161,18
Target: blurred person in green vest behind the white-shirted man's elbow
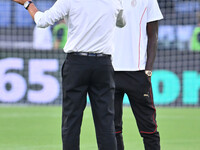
x,y
60,35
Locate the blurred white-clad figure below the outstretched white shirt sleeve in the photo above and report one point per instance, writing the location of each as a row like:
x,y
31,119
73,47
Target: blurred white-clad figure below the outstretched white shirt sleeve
x,y
42,38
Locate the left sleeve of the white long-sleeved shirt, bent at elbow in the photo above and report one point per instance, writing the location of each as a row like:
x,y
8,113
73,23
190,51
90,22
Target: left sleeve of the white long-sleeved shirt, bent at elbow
x,y
57,12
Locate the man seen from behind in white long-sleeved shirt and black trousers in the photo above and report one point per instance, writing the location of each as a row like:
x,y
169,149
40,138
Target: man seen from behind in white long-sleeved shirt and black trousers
x,y
88,67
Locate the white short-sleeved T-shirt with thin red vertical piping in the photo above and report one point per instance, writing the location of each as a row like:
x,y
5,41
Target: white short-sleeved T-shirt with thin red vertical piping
x,y
130,52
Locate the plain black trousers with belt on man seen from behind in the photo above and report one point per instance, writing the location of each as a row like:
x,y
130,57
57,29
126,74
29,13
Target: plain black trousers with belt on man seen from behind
x,y
92,75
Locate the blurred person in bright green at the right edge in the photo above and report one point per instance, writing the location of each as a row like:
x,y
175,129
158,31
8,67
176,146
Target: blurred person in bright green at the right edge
x,y
195,42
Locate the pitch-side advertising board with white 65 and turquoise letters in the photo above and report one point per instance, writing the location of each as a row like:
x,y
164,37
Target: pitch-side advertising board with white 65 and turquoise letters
x,y
33,77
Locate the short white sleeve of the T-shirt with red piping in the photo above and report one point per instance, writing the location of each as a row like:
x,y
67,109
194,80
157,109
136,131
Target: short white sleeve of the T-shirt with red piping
x,y
153,11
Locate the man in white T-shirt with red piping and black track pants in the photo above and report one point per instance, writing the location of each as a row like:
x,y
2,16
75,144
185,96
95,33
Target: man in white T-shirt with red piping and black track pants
x,y
135,51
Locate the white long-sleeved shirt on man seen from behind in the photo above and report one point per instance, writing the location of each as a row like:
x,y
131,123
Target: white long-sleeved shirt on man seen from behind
x,y
91,23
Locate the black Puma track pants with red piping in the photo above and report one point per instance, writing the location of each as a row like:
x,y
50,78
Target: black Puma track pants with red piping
x,y
139,91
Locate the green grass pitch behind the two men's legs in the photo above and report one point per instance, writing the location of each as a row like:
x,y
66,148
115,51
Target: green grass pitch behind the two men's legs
x,y
39,128
